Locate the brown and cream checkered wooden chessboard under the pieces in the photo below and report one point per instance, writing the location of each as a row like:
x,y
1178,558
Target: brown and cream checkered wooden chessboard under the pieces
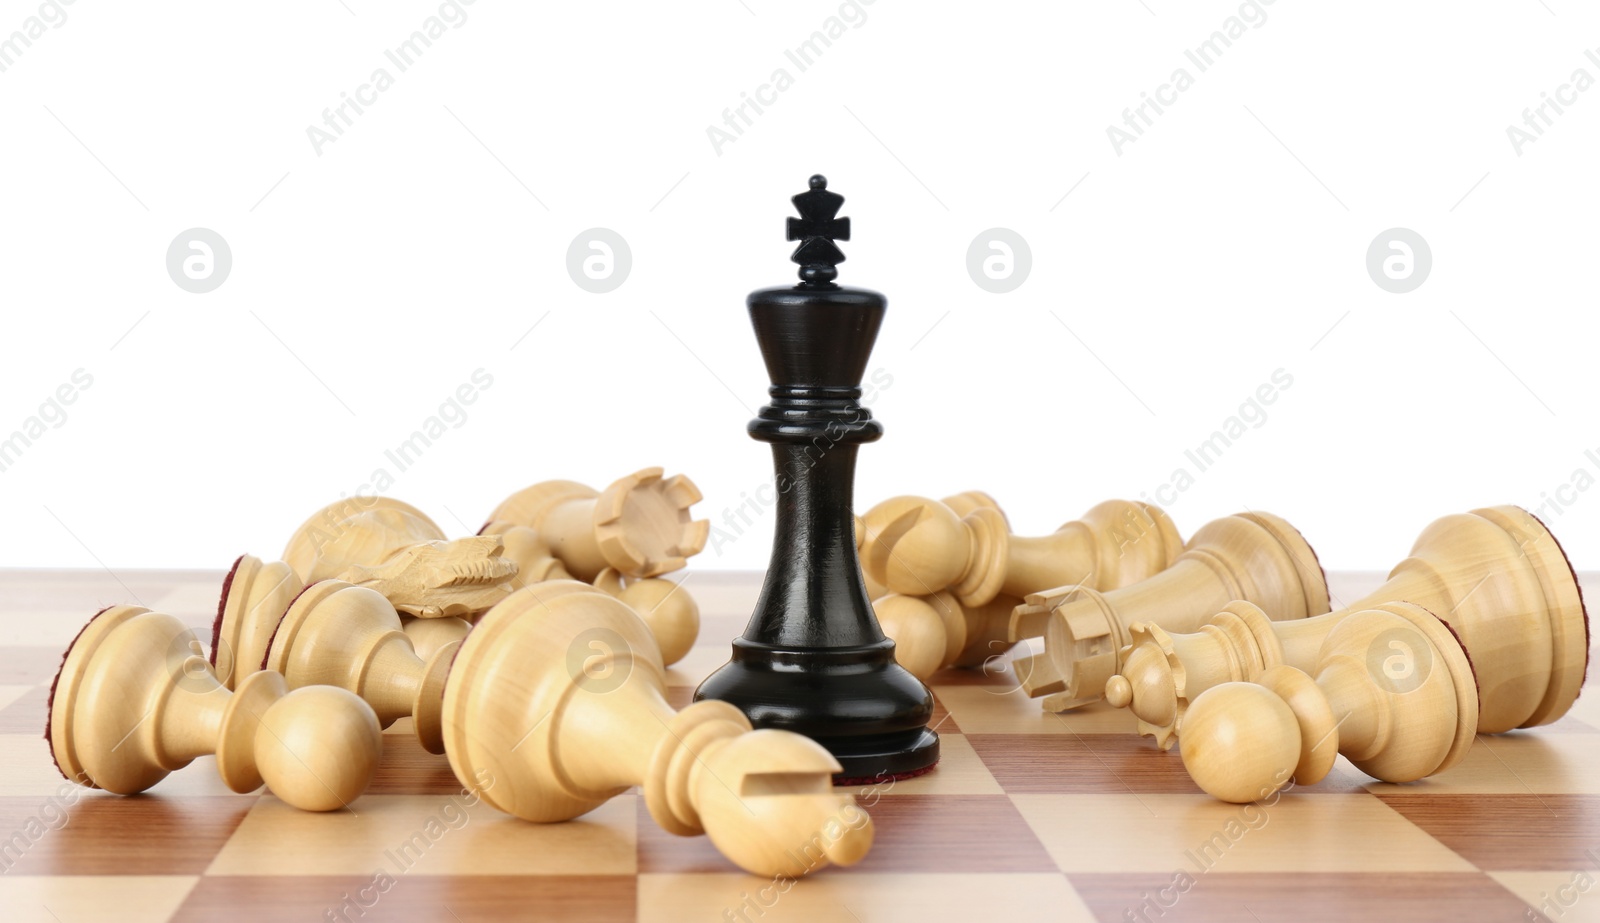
x,y
1030,817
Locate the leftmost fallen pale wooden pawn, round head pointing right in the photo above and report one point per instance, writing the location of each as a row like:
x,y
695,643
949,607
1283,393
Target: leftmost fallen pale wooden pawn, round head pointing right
x,y
135,701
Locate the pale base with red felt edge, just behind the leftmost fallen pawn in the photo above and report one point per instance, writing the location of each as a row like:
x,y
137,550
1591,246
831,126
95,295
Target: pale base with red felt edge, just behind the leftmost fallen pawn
x,y
255,596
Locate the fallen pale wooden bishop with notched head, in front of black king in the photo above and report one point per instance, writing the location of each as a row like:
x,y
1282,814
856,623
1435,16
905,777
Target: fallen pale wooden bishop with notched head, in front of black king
x,y
556,705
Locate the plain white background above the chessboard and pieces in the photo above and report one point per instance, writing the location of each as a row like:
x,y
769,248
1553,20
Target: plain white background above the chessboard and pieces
x,y
370,281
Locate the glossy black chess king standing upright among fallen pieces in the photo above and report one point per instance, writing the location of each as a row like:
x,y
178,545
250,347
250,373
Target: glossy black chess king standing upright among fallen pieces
x,y
814,658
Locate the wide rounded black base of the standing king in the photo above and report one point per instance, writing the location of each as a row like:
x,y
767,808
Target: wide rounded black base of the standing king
x,y
868,711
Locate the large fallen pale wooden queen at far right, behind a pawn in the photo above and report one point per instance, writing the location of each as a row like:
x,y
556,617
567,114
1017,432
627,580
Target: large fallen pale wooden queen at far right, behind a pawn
x,y
1497,577
